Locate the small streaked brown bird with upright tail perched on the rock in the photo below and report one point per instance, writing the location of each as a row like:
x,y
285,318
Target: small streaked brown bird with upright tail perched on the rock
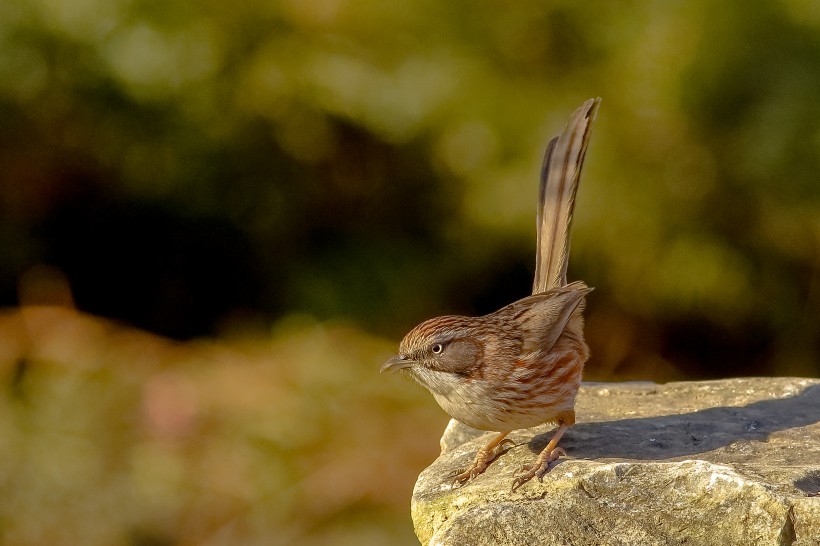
x,y
520,366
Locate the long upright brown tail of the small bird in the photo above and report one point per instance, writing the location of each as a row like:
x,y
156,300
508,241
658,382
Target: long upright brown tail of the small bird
x,y
559,183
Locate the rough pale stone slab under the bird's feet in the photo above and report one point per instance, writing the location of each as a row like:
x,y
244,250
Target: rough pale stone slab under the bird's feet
x,y
734,461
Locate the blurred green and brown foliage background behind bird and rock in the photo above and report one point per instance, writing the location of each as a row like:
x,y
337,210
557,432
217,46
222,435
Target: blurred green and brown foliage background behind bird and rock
x,y
217,220
